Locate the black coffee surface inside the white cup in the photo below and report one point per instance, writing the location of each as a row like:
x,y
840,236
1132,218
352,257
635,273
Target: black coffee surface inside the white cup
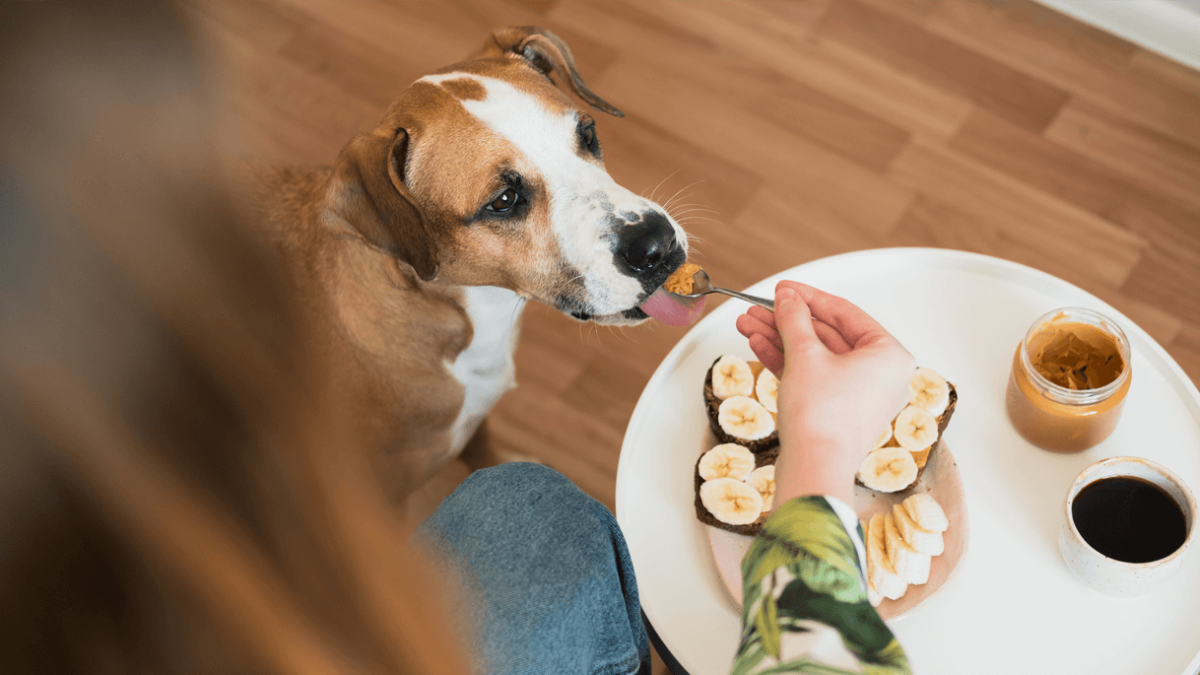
x,y
1130,519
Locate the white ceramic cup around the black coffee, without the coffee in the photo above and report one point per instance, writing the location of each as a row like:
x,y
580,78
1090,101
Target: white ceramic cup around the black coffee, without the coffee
x,y
1115,577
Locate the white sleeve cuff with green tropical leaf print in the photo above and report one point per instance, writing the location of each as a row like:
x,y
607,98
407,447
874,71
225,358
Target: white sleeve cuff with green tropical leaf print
x,y
805,599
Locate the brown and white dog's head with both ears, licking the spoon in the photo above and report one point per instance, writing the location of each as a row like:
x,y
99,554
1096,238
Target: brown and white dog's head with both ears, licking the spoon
x,y
487,174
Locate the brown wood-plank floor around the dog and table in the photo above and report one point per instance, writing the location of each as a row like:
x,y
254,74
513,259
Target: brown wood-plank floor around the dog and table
x,y
789,132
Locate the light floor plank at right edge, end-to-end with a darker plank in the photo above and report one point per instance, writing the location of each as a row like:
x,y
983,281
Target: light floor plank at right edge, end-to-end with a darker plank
x,y
1130,148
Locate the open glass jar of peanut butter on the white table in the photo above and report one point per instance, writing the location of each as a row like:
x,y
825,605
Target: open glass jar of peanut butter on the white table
x,y
1071,375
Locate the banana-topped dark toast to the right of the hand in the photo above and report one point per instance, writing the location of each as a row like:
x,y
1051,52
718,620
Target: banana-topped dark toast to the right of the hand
x,y
902,452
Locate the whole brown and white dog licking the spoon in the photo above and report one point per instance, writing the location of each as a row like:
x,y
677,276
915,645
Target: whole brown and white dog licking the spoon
x,y
484,187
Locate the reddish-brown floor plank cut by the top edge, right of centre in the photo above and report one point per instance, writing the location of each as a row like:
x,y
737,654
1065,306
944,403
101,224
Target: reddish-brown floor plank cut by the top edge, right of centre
x,y
993,86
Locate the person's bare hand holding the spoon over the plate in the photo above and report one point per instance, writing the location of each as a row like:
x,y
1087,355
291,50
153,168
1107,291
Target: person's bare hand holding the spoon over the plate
x,y
843,378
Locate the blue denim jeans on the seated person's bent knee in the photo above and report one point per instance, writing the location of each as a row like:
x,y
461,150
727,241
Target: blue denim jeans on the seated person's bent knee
x,y
548,582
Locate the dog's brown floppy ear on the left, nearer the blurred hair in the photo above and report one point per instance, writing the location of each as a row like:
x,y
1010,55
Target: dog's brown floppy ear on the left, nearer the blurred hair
x,y
379,205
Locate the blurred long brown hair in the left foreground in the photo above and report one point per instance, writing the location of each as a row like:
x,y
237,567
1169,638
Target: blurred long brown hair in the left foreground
x,y
176,491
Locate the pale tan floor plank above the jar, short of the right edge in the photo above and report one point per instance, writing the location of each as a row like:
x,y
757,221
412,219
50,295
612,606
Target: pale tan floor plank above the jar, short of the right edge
x,y
1018,213
